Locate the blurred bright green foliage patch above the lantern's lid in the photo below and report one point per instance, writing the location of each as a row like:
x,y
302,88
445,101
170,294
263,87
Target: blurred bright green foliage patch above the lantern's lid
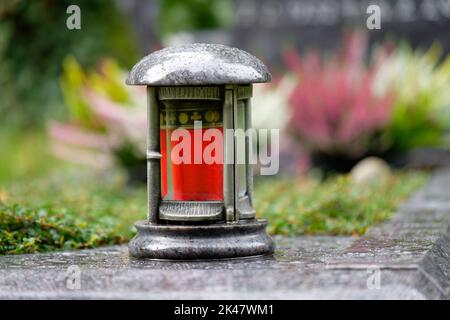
x,y
189,15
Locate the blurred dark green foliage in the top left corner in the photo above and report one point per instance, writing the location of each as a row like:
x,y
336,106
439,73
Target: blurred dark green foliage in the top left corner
x,y
34,40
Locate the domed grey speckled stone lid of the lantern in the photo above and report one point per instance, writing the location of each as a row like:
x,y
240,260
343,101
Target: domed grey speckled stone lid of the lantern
x,y
198,64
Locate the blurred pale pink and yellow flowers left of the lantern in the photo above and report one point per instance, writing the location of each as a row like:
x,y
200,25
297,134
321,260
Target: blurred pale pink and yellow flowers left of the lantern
x,y
106,117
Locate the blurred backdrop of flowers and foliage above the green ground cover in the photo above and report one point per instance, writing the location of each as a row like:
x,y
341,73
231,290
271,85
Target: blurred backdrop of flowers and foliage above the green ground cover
x,y
340,92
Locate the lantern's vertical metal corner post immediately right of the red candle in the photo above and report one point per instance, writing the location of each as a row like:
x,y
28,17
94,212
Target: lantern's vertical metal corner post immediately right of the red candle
x,y
228,154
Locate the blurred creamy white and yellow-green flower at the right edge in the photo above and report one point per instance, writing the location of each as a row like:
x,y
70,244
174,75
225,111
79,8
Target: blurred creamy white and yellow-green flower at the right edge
x,y
421,106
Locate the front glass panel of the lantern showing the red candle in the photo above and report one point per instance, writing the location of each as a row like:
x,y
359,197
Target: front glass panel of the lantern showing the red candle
x,y
185,174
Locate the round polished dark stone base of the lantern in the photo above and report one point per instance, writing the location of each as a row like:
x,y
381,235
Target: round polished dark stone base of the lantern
x,y
191,242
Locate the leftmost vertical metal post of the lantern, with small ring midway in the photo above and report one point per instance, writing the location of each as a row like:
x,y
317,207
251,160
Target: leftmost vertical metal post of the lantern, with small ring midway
x,y
153,155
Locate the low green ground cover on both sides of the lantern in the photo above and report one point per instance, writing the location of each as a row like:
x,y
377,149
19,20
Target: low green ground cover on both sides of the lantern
x,y
79,210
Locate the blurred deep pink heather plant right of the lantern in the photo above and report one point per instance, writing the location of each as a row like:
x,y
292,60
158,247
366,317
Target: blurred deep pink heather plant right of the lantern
x,y
334,107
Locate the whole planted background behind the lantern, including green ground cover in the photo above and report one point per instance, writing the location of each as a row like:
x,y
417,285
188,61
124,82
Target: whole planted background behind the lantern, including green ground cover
x,y
354,106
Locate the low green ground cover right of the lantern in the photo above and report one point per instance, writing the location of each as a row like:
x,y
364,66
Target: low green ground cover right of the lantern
x,y
336,206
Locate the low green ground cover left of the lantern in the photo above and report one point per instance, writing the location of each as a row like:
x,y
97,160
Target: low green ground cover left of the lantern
x,y
68,211
